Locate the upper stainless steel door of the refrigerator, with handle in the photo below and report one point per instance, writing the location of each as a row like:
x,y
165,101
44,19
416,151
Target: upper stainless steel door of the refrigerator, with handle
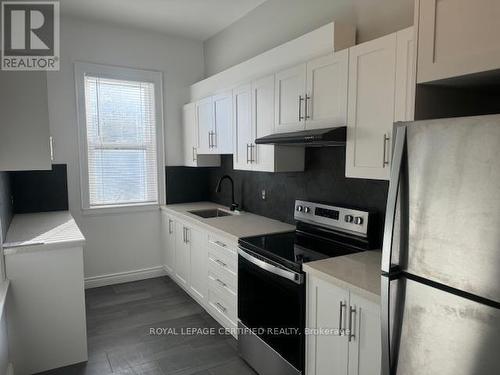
x,y
449,195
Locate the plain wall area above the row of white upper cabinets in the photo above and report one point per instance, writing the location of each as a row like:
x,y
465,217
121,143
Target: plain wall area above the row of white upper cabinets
x,y
278,21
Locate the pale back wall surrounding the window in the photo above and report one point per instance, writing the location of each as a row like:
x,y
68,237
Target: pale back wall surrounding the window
x,y
119,242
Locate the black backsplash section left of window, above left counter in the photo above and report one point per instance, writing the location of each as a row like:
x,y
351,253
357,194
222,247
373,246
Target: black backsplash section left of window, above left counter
x,y
40,191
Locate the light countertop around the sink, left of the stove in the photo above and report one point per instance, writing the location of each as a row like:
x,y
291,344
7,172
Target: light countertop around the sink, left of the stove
x,y
243,224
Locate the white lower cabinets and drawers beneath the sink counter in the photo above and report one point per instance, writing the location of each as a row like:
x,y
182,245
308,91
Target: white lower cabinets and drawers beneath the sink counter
x,y
204,265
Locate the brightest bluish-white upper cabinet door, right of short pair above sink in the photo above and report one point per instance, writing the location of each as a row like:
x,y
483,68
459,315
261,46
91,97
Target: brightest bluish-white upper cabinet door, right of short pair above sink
x,y
222,140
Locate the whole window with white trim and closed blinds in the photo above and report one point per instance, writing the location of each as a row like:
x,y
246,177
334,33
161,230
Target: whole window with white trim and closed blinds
x,y
121,148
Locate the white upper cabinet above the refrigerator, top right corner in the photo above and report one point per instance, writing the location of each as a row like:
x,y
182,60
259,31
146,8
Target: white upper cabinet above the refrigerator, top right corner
x,y
457,37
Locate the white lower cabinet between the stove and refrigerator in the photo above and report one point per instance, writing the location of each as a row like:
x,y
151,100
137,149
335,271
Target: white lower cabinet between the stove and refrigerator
x,y
357,350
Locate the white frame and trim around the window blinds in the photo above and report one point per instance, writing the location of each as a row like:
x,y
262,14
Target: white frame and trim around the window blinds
x,y
126,74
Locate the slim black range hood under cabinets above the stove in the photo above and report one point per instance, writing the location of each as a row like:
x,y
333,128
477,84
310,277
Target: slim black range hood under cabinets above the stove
x,y
309,138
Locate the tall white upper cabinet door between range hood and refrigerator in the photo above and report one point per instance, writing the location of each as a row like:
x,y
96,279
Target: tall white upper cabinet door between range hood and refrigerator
x,y
372,71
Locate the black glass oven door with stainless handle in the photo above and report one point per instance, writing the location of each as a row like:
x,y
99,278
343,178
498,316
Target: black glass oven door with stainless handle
x,y
271,302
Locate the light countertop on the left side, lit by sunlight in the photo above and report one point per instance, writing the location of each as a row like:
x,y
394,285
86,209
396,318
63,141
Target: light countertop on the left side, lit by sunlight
x,y
42,231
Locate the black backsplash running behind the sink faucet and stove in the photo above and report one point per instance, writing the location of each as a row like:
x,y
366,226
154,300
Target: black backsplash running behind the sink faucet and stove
x,y
323,180
